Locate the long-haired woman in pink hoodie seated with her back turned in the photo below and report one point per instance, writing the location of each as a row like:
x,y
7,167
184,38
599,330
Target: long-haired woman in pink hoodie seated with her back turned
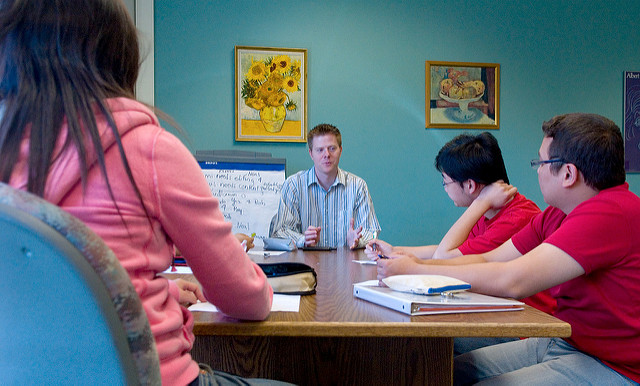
x,y
72,132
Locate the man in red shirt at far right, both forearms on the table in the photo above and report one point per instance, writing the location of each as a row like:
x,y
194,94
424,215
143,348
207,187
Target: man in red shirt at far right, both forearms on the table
x,y
584,247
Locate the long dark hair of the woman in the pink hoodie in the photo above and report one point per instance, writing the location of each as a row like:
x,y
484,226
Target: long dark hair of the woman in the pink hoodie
x,y
62,59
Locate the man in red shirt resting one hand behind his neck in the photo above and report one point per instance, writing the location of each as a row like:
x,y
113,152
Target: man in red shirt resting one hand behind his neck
x,y
474,176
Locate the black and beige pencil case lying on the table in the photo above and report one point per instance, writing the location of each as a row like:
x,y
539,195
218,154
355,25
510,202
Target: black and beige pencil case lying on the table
x,y
290,278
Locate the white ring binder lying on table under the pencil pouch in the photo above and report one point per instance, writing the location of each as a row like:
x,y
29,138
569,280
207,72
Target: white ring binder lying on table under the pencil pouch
x,y
445,303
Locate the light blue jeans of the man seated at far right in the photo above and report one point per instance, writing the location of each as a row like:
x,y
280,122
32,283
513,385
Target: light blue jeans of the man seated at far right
x,y
533,361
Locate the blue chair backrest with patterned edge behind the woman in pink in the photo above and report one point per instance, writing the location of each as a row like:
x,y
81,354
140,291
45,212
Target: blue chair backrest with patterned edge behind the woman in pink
x,y
69,313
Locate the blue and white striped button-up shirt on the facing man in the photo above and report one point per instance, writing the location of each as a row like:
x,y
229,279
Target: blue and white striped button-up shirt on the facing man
x,y
304,203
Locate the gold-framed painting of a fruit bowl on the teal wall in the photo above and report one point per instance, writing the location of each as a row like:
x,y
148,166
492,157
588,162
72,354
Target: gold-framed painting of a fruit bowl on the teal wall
x,y
461,95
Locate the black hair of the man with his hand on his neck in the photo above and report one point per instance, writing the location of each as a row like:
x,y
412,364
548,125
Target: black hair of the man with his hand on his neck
x,y
475,157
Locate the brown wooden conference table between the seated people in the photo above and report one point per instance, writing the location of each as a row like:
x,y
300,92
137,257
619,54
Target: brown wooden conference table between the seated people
x,y
339,339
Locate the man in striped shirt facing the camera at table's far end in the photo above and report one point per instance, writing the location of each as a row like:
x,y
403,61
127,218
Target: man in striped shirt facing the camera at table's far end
x,y
325,206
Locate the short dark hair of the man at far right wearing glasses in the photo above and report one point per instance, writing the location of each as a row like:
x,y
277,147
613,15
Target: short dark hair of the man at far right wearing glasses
x,y
592,143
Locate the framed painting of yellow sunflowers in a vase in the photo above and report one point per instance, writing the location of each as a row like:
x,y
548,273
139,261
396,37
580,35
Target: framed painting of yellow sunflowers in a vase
x,y
271,94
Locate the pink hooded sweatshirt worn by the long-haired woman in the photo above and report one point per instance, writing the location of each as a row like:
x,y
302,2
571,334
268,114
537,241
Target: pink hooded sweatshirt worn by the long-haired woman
x,y
182,211
